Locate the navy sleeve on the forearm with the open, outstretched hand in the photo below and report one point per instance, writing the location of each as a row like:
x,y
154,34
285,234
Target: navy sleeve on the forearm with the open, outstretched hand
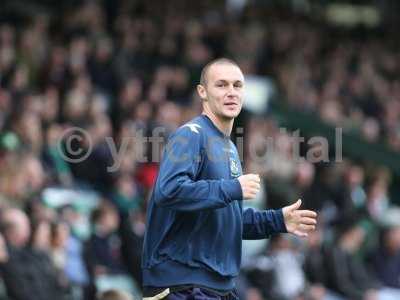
x,y
261,224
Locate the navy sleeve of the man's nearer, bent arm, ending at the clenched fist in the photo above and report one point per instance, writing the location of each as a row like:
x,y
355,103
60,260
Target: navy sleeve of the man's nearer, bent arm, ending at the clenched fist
x,y
177,187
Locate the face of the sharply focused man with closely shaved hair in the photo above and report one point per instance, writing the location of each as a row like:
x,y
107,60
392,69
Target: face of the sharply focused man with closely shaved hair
x,y
223,91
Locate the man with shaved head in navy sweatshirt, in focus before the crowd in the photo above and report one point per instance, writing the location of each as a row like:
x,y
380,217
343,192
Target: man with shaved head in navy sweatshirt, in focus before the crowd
x,y
195,220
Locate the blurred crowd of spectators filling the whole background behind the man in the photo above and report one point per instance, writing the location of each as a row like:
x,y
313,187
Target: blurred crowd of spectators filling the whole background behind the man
x,y
72,229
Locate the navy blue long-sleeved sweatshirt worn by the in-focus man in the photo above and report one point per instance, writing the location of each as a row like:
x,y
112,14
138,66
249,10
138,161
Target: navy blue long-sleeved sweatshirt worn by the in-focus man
x,y
195,220
